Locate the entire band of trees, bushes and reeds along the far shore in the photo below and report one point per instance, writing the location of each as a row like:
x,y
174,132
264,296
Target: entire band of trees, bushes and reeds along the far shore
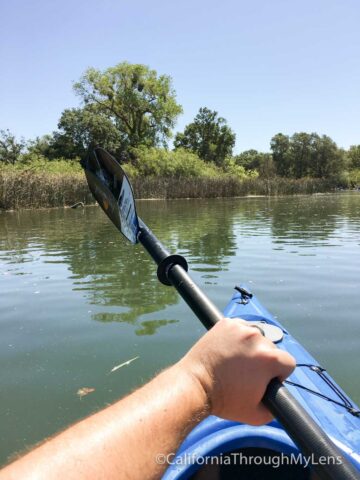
x,y
131,111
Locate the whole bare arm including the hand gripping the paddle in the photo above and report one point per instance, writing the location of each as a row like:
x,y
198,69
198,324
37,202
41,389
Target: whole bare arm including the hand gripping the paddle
x,y
225,373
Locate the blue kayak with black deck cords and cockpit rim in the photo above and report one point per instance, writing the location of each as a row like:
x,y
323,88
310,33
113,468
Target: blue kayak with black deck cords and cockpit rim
x,y
221,449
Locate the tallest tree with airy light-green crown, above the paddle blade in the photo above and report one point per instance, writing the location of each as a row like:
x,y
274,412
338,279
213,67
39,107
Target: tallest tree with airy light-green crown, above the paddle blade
x,y
140,105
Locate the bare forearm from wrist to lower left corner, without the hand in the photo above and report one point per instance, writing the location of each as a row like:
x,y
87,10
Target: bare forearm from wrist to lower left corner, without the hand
x,y
123,440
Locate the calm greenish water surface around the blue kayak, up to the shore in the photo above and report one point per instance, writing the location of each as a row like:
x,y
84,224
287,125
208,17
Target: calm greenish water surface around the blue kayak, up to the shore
x,y
76,300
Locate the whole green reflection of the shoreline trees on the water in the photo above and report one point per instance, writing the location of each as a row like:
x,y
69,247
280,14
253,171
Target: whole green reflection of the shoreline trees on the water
x,y
121,280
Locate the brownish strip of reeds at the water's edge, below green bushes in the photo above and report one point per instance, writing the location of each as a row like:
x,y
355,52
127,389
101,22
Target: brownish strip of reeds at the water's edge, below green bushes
x,y
19,190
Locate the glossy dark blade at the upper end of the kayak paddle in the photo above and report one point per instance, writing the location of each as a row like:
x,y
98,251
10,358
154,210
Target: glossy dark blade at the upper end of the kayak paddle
x,y
112,190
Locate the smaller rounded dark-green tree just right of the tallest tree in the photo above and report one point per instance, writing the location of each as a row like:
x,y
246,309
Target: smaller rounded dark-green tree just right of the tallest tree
x,y
209,136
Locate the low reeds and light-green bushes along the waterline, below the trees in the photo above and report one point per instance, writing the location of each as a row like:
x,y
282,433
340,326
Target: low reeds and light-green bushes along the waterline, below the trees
x,y
36,182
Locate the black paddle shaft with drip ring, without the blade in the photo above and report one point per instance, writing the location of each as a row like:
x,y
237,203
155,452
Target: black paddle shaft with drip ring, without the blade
x,y
325,458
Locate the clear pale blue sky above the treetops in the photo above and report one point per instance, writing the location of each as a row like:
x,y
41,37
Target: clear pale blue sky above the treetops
x,y
267,66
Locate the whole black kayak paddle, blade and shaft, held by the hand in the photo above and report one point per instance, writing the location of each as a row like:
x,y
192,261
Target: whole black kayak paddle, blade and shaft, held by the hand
x,y
112,189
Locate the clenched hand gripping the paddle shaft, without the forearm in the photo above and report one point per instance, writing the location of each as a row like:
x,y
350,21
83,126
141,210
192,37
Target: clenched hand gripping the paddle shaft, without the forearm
x,y
234,363
